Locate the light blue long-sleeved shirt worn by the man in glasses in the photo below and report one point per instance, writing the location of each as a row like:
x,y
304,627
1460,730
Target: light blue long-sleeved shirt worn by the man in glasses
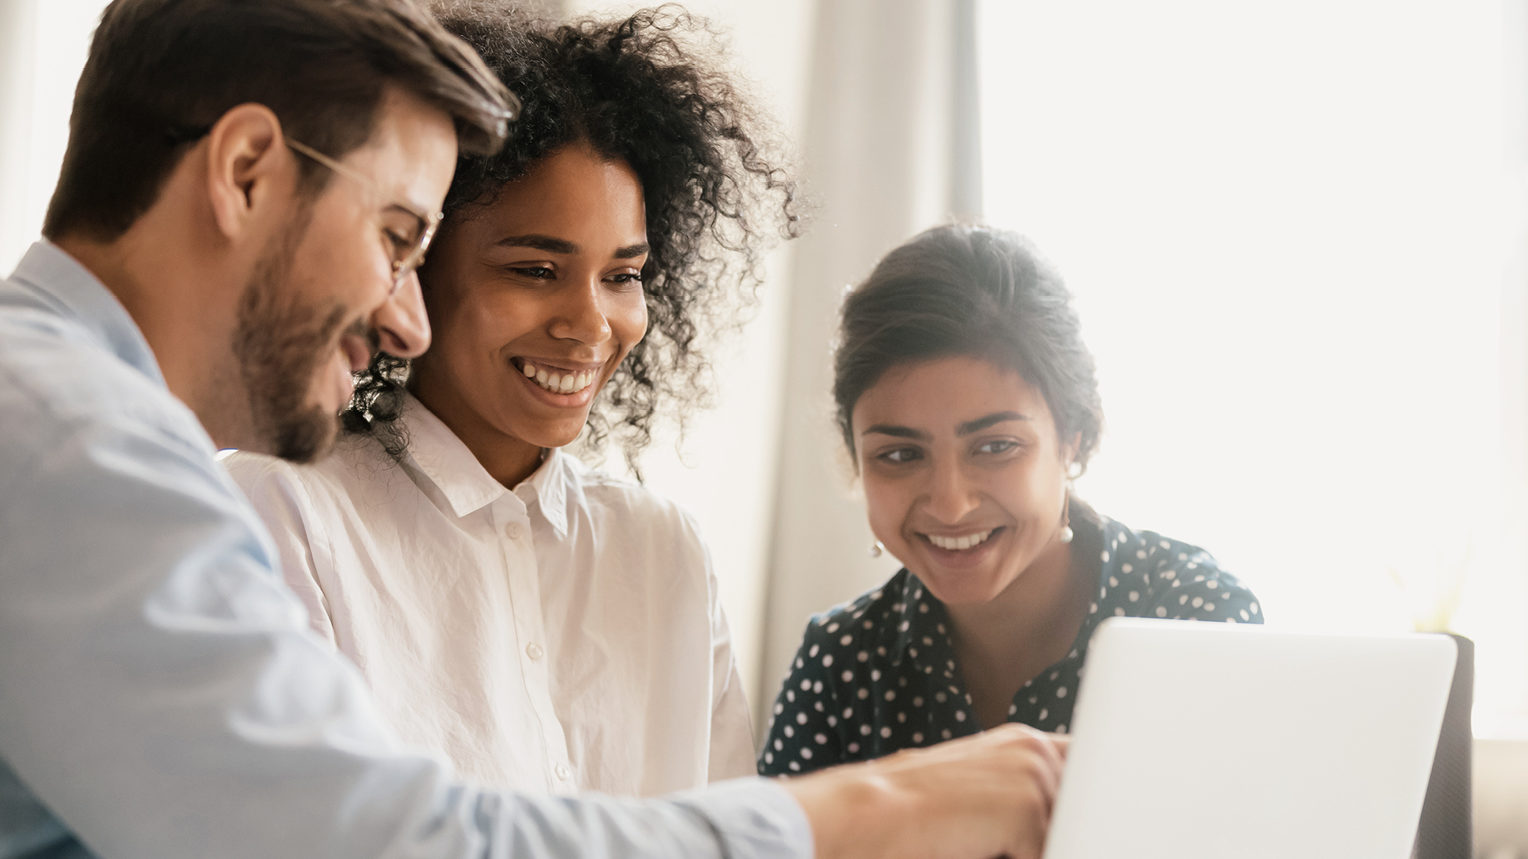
x,y
161,695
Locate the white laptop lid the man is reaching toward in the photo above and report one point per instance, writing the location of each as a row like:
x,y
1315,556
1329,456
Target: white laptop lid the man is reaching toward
x,y
1199,741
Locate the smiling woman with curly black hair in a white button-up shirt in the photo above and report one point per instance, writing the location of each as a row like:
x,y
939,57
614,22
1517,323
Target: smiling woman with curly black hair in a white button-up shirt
x,y
540,624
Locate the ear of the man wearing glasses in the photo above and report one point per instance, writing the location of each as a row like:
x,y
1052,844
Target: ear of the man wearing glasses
x,y
247,163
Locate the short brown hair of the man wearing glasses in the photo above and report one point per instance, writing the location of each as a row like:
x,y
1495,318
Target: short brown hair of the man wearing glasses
x,y
161,73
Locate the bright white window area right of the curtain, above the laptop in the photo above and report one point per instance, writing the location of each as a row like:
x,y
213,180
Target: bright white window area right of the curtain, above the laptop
x,y
1290,230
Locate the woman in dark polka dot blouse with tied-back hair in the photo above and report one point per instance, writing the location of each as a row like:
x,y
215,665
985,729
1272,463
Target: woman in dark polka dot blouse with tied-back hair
x,y
970,403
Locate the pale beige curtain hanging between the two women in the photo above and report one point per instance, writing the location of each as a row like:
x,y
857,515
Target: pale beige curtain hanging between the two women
x,y
890,149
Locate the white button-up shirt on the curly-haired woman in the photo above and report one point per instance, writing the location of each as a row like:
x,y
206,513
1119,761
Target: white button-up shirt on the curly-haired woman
x,y
555,638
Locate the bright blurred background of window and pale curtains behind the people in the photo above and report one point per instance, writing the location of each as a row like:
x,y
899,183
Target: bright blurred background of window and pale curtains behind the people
x,y
1298,238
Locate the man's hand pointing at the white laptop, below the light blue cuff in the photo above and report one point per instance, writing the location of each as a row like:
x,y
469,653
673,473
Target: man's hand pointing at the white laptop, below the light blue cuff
x,y
973,799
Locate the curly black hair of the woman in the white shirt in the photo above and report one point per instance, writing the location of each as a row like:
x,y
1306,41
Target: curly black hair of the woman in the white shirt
x,y
638,91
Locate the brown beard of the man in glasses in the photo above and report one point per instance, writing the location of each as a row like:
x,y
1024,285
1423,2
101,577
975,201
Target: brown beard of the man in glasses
x,y
282,346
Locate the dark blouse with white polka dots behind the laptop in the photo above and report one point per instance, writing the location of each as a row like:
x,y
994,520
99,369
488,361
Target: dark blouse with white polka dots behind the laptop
x,y
879,675
